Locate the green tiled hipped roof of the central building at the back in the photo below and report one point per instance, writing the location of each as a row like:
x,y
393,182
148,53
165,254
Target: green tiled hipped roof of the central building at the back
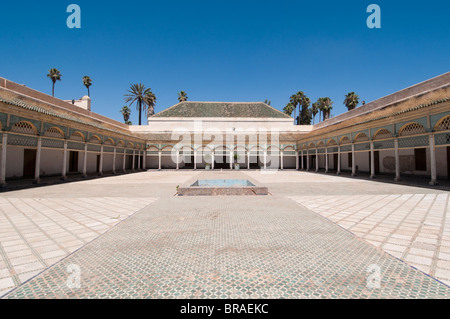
x,y
222,109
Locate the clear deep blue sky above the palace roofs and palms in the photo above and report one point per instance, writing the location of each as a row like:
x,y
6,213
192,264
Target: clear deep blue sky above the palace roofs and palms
x,y
224,50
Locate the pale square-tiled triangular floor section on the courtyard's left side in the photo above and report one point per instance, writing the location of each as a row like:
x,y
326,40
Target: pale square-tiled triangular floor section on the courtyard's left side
x,y
38,232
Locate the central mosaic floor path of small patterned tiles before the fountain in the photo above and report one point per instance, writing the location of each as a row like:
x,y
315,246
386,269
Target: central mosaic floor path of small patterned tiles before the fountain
x,y
230,247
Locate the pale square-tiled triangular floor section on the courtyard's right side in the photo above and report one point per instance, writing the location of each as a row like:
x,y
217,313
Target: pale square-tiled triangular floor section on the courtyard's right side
x,y
412,227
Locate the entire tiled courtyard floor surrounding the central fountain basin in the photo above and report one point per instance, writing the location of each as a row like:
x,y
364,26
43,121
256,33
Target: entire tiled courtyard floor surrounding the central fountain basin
x,y
315,236
